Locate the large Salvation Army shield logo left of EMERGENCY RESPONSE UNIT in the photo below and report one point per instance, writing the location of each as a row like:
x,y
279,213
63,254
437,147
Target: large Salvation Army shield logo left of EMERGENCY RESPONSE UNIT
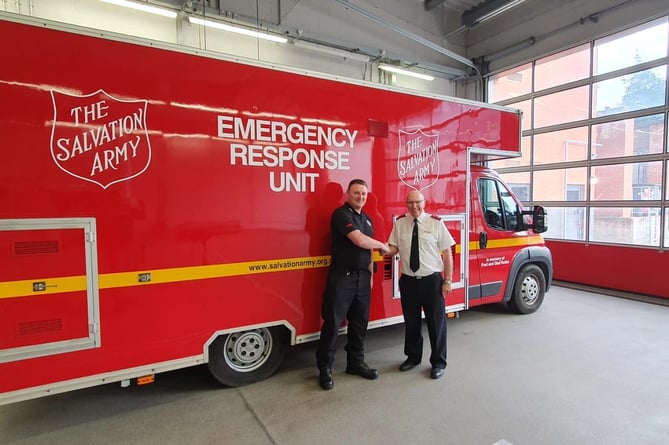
x,y
99,138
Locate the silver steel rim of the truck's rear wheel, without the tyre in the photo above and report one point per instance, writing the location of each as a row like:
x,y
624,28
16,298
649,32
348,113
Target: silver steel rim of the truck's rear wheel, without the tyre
x,y
248,350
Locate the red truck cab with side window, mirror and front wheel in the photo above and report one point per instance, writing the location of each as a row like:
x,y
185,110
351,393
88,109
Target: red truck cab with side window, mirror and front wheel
x,y
508,260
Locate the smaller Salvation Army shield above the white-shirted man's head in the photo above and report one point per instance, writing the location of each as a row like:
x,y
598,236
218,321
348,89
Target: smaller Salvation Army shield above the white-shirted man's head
x,y
418,158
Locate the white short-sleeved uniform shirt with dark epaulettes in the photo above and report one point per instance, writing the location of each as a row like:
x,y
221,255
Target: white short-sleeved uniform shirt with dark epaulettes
x,y
433,238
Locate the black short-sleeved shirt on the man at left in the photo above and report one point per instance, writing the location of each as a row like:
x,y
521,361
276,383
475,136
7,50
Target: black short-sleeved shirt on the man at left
x,y
345,254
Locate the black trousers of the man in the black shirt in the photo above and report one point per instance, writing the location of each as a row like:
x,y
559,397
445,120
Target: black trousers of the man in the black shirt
x,y
346,296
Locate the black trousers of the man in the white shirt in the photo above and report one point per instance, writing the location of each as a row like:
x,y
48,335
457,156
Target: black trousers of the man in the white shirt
x,y
425,294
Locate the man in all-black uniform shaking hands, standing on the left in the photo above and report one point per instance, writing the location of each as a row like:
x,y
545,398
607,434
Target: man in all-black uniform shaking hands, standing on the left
x,y
349,286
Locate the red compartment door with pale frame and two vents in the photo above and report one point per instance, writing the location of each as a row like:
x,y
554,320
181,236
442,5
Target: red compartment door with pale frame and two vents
x,y
48,287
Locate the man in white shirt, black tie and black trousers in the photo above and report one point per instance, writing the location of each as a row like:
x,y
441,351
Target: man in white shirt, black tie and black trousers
x,y
427,269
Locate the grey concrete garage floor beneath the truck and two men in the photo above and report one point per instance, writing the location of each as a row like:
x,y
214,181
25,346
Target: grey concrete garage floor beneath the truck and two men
x,y
585,369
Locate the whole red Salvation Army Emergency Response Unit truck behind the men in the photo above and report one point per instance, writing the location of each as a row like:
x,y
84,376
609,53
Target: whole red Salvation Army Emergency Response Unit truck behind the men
x,y
164,209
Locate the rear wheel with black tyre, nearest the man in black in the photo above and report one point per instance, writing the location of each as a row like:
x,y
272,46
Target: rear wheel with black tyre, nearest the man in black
x,y
245,357
